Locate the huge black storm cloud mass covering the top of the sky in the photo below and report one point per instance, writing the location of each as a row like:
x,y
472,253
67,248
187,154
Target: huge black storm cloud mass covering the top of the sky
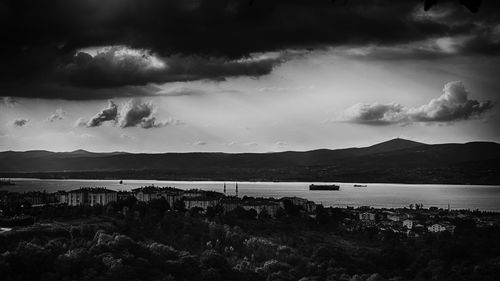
x,y
198,39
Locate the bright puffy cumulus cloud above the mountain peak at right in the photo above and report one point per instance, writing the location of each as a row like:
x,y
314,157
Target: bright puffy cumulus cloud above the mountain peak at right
x,y
453,105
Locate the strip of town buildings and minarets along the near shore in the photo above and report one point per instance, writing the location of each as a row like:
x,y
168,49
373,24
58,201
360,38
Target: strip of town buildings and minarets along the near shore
x,y
410,222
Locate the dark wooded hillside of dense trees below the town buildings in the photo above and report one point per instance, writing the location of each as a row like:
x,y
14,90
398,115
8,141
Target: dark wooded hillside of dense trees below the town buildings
x,y
129,240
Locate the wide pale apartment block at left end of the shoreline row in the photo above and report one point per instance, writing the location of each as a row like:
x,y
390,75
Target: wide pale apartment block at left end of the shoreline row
x,y
91,196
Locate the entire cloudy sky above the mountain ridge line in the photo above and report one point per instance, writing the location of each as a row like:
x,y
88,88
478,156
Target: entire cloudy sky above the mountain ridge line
x,y
240,75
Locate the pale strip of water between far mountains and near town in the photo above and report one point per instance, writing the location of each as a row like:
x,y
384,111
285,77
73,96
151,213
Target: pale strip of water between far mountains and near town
x,y
379,195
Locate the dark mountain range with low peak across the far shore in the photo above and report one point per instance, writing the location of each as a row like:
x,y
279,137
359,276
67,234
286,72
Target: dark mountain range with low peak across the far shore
x,y
396,160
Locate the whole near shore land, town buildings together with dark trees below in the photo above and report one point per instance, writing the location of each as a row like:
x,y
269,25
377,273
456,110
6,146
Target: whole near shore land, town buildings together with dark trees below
x,y
166,233
